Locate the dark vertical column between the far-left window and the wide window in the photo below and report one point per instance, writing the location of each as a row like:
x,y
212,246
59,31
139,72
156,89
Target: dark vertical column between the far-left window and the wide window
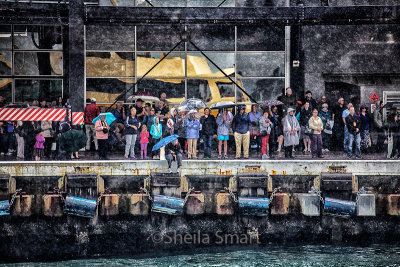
x,y
76,55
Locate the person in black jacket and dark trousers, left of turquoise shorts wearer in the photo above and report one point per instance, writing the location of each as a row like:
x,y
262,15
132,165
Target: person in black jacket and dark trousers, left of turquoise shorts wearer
x,y
208,130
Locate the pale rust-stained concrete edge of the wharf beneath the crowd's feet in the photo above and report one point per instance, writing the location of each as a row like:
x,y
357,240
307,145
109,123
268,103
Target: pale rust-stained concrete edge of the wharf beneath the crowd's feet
x,y
197,167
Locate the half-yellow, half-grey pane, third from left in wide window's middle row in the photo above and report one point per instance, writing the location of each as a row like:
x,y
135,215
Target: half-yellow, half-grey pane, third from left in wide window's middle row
x,y
199,66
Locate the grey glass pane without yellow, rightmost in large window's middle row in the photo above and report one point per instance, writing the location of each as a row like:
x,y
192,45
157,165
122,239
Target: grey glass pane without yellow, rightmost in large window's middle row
x,y
261,64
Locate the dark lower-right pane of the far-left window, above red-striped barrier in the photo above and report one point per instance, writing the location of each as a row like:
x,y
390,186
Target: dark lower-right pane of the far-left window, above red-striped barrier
x,y
29,90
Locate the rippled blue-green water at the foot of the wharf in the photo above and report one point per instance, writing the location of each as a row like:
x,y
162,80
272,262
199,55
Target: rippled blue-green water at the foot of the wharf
x,y
312,255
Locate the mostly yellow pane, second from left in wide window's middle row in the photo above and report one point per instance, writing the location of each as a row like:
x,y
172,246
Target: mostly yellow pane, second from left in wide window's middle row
x,y
171,66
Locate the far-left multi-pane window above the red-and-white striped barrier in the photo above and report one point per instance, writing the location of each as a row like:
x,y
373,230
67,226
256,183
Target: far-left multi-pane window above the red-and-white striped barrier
x,y
31,62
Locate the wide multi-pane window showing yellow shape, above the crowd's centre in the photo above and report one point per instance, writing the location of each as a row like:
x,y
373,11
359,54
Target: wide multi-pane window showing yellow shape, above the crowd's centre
x,y
253,57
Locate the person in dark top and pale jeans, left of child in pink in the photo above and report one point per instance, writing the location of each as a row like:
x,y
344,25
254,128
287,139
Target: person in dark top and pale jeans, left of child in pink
x,y
132,126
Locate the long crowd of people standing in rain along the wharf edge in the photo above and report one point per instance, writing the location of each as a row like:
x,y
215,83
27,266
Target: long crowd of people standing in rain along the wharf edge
x,y
296,124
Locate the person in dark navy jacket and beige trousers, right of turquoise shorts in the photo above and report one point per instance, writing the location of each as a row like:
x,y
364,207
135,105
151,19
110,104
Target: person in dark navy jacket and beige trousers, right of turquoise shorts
x,y
241,129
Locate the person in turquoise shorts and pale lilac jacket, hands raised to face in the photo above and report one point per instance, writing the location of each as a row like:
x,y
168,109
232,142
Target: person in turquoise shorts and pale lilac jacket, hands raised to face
x,y
224,119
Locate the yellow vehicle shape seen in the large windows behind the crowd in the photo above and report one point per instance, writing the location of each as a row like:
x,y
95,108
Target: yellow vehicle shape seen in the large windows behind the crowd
x,y
197,67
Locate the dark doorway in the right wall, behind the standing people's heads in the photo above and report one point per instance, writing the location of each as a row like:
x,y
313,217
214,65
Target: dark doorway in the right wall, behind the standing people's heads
x,y
350,93
